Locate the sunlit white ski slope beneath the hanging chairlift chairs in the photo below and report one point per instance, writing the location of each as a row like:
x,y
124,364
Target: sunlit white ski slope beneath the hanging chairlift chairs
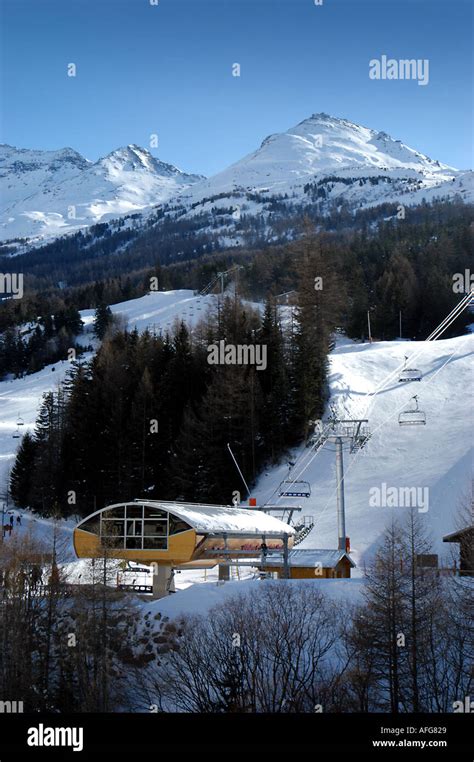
x,y
436,458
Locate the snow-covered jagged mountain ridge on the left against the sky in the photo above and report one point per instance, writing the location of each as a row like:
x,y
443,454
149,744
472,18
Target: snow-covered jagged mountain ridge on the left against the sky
x,y
48,193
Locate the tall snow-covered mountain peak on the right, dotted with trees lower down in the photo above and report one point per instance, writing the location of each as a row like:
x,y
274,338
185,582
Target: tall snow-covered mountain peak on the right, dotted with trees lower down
x,y
320,160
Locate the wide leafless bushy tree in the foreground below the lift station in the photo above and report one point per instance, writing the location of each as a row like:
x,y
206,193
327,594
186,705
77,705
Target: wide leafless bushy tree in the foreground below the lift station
x,y
265,652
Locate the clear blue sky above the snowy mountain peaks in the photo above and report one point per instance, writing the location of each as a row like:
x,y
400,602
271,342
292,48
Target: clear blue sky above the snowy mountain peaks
x,y
167,69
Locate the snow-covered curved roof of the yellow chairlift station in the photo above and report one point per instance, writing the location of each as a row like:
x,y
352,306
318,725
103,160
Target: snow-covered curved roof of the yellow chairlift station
x,y
210,519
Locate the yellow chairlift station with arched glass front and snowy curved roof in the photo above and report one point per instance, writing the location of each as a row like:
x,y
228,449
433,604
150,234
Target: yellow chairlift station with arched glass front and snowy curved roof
x,y
173,535
